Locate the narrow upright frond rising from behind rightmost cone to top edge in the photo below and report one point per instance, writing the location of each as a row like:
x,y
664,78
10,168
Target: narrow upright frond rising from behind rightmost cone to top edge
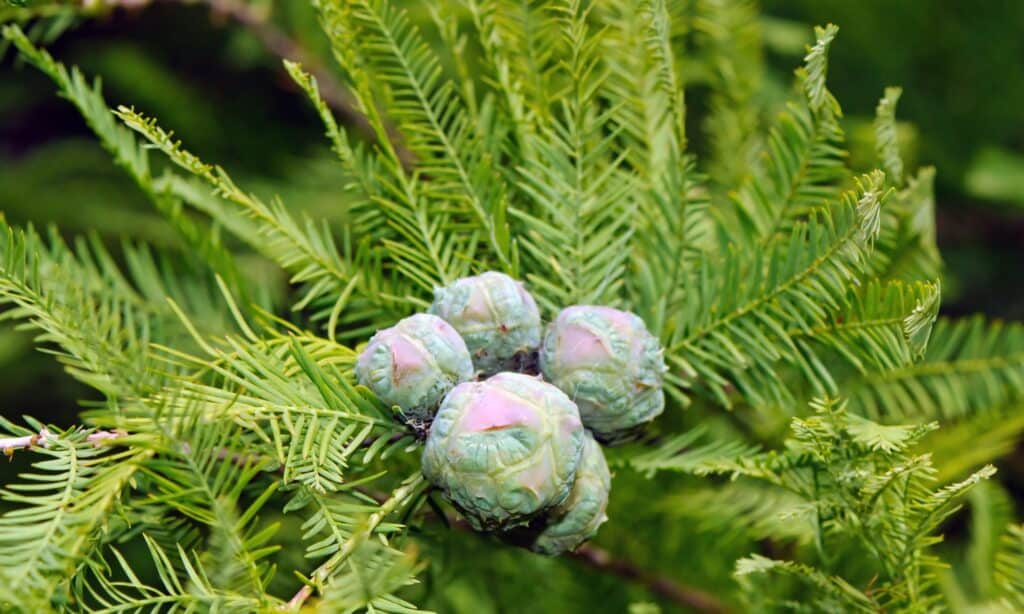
x,y
645,95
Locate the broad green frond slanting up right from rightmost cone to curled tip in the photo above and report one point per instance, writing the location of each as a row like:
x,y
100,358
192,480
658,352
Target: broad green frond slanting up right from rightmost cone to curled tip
x,y
740,308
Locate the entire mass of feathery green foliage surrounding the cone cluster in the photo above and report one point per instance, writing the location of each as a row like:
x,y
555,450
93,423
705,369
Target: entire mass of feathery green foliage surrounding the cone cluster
x,y
548,141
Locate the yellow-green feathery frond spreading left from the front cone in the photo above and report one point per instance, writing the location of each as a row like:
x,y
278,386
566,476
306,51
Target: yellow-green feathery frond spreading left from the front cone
x,y
300,403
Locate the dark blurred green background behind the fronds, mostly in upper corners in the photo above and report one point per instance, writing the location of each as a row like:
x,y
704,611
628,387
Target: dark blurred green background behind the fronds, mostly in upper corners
x,y
211,71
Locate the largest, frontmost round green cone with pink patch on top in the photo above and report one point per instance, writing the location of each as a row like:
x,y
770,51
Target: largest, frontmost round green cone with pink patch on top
x,y
505,450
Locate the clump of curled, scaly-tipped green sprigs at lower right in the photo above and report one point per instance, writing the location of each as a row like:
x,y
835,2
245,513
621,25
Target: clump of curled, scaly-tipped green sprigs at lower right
x,y
864,490
